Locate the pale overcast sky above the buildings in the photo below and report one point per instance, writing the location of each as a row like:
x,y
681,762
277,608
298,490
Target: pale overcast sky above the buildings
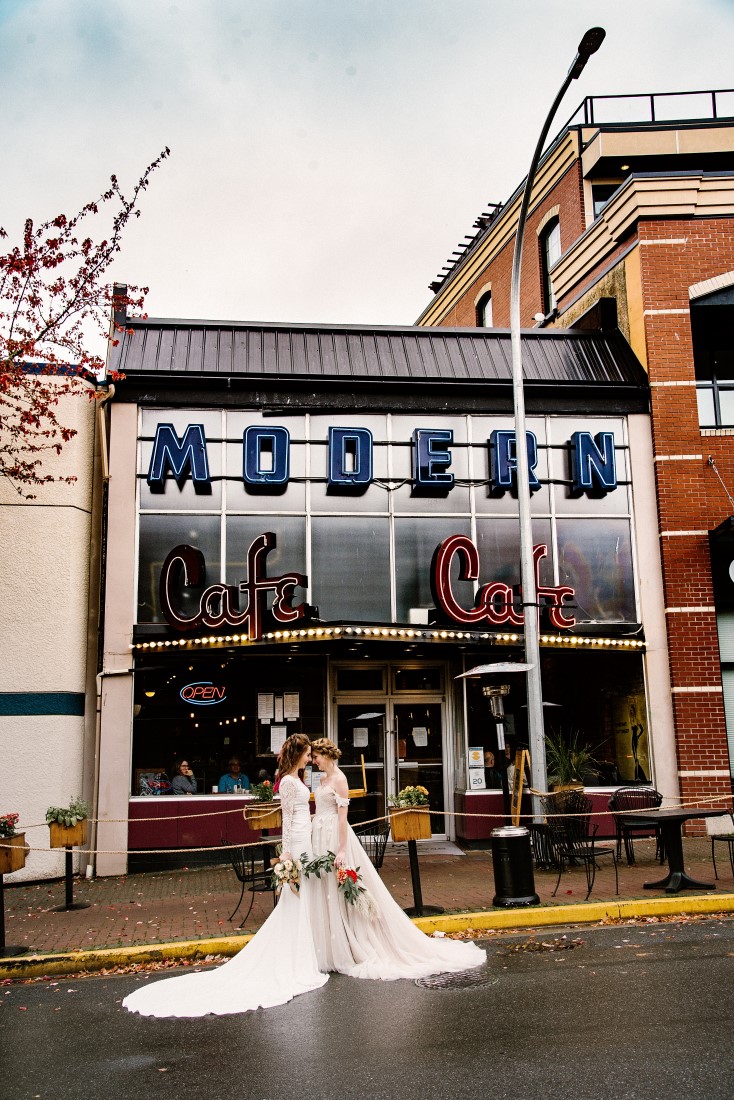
x,y
327,156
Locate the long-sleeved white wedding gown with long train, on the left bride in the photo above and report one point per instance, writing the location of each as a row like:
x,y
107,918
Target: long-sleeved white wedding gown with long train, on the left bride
x,y
278,964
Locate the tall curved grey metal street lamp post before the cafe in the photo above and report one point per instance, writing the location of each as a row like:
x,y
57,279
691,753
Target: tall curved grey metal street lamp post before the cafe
x,y
589,46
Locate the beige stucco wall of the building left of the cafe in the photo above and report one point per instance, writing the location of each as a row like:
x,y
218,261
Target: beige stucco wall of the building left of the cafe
x,y
49,549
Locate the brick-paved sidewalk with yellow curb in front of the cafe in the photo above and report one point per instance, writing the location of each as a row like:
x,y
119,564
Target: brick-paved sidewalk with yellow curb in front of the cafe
x,y
183,906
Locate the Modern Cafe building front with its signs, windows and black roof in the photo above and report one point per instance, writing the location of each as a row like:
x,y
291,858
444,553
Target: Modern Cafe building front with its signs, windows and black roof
x,y
314,530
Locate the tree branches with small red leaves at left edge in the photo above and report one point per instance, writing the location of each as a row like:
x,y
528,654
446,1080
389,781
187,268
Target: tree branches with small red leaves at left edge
x,y
54,305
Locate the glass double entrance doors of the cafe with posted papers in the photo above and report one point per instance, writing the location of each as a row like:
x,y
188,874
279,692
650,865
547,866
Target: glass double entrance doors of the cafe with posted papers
x,y
403,746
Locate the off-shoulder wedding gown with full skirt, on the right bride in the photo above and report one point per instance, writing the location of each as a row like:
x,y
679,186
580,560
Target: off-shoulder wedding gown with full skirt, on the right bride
x,y
387,945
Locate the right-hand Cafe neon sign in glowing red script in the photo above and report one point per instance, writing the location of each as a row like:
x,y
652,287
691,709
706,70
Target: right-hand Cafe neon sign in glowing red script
x,y
495,601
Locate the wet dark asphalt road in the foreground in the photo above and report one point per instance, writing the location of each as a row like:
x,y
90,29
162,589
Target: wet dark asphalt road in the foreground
x,y
636,1014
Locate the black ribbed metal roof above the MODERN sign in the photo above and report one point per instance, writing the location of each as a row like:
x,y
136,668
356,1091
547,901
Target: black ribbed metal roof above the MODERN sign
x,y
159,350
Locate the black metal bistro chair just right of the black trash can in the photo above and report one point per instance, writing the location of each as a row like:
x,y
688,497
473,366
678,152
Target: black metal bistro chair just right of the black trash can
x,y
573,842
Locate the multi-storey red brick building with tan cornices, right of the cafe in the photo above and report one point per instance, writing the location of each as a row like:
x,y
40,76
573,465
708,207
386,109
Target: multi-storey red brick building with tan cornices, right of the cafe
x,y
631,226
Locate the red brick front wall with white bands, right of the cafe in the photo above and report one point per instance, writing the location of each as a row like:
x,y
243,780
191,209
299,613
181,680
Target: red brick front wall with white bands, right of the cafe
x,y
691,498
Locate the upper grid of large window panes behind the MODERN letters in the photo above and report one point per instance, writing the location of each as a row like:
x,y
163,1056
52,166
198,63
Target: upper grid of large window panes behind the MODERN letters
x,y
368,551
